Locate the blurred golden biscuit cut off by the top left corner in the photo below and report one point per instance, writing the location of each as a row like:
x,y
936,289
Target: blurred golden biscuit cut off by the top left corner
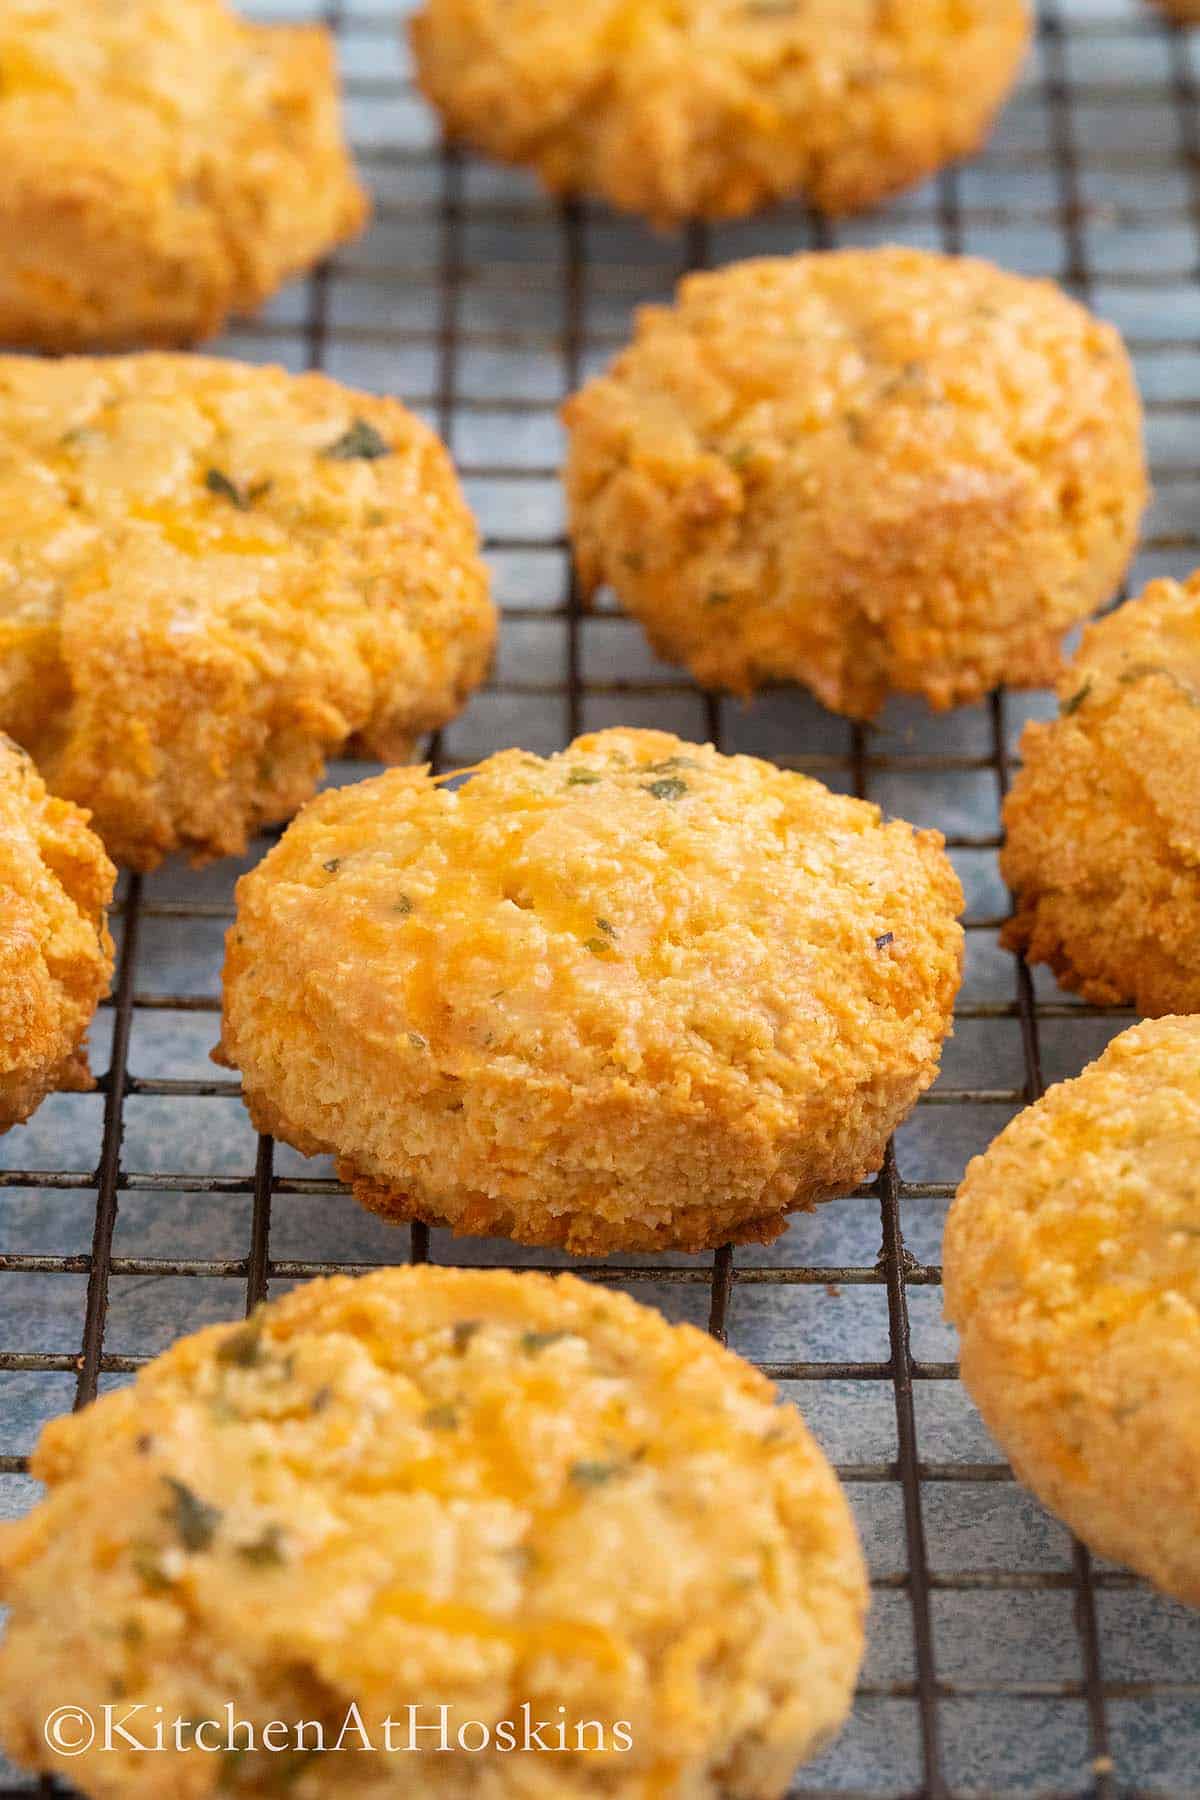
x,y
161,166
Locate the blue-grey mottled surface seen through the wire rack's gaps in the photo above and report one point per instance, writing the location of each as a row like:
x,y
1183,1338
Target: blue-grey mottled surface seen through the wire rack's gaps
x,y
1138,233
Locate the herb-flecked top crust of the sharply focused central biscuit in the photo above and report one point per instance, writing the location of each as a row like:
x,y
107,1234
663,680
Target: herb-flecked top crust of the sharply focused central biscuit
x,y
632,910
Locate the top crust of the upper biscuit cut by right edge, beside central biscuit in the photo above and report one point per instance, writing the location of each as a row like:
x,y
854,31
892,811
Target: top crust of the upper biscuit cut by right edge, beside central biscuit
x,y
1134,690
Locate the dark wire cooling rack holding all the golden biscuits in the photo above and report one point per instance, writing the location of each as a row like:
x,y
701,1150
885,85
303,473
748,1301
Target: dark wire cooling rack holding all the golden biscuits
x,y
1003,1659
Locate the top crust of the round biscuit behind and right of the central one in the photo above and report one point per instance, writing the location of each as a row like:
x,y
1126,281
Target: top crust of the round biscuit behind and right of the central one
x,y
882,377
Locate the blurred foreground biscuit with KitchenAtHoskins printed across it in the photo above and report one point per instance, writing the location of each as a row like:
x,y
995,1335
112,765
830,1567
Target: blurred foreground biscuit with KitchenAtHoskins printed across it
x,y
436,1488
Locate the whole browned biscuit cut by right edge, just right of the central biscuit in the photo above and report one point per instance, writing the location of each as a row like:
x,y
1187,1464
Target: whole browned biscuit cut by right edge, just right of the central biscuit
x,y
1104,820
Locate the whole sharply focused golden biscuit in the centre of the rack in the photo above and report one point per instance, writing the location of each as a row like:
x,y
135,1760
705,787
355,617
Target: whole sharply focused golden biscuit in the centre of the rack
x,y
638,994
